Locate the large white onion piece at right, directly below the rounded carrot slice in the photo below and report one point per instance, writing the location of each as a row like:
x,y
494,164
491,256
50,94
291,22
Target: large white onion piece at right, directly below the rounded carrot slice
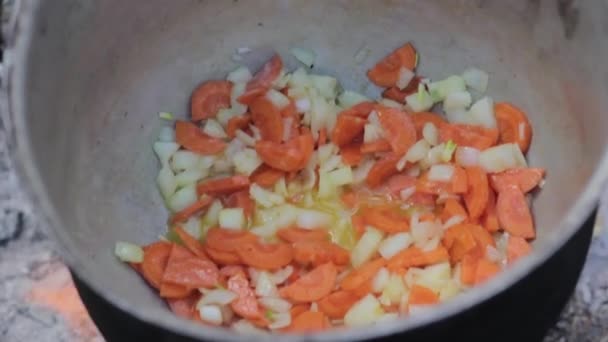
x,y
502,157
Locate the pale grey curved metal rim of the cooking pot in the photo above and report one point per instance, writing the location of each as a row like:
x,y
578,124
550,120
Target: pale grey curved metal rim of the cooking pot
x,y
20,32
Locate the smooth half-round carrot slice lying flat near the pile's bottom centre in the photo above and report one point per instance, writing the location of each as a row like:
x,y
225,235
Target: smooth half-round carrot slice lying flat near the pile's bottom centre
x,y
313,285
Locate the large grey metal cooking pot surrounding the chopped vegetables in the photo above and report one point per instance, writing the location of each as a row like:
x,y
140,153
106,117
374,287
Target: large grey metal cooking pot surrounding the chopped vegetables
x,y
82,82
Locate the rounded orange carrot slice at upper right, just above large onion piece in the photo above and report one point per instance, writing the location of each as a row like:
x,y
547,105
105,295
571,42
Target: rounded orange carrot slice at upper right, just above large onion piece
x,y
514,125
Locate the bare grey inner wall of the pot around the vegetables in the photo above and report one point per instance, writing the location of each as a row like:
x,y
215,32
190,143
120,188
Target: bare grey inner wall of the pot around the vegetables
x,y
100,71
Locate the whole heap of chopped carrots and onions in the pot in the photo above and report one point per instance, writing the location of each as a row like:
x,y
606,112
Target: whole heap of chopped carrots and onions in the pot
x,y
298,207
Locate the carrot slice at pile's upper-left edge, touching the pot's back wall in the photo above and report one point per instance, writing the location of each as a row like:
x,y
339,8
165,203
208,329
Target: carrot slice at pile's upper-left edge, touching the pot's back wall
x,y
208,98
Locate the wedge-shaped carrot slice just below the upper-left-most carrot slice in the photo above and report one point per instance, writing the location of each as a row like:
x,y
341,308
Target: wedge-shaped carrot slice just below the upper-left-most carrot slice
x,y
190,137
